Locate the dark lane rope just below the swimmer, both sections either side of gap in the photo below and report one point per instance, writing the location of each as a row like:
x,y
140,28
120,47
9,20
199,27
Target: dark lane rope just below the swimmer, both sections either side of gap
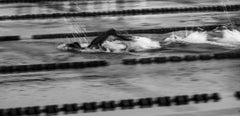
x,y
132,61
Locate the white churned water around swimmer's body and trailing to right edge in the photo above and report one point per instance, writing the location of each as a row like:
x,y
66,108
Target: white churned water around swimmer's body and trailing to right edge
x,y
230,39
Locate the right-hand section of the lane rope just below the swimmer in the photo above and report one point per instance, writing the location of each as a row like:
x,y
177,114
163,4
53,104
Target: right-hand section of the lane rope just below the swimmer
x,y
187,58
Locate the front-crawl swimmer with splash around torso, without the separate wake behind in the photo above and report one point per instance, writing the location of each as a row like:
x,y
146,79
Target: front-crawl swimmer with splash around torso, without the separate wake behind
x,y
110,41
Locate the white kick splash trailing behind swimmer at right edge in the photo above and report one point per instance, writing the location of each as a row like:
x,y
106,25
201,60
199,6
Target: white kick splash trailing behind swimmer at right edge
x,y
230,38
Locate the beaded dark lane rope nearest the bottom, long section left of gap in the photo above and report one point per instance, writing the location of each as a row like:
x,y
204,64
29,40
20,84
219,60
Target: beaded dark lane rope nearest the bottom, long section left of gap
x,y
73,108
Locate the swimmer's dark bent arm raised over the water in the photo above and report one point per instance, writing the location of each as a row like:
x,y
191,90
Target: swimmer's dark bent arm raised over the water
x,y
100,39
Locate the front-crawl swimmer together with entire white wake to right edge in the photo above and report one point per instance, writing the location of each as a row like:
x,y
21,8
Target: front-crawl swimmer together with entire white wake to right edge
x,y
112,42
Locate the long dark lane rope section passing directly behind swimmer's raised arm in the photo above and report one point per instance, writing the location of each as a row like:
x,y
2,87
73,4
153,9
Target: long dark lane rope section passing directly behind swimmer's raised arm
x,y
135,31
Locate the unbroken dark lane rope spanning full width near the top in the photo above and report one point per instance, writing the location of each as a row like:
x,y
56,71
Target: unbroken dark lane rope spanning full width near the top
x,y
216,8
